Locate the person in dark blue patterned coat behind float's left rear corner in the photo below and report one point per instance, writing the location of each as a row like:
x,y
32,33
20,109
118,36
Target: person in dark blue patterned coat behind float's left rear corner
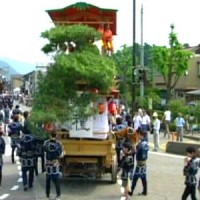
x,y
53,151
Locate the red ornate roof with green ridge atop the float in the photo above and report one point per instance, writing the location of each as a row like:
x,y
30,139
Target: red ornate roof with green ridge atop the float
x,y
84,13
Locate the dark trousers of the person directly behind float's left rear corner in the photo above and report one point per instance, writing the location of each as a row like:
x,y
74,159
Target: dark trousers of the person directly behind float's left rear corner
x,y
56,180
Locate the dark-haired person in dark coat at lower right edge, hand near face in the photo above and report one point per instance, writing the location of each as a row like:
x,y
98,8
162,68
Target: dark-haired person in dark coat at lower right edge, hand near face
x,y
191,165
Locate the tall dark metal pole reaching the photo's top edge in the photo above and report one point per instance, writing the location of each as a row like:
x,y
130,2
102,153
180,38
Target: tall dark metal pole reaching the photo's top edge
x,y
133,61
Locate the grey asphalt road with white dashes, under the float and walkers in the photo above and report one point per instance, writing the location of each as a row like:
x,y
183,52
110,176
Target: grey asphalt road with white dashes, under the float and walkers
x,y
165,181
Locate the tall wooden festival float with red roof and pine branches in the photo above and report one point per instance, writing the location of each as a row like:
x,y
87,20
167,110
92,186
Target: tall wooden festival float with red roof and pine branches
x,y
79,91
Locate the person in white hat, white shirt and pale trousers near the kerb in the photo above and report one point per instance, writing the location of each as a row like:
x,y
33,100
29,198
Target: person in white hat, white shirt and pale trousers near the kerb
x,y
156,131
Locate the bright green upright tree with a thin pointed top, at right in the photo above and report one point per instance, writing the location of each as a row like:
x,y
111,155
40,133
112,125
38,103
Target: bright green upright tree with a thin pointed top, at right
x,y
171,62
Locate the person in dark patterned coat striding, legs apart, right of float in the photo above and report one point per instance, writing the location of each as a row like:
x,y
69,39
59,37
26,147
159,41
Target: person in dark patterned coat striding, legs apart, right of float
x,y
141,157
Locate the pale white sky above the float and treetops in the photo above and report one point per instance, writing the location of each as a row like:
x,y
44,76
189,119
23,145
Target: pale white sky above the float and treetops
x,y
22,21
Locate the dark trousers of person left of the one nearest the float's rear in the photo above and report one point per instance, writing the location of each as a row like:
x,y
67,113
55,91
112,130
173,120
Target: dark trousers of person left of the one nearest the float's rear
x,y
28,179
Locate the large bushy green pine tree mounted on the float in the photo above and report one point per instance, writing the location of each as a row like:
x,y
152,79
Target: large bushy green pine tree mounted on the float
x,y
82,68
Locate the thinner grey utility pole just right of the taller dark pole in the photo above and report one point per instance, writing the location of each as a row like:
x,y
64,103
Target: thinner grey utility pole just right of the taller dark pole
x,y
142,55
